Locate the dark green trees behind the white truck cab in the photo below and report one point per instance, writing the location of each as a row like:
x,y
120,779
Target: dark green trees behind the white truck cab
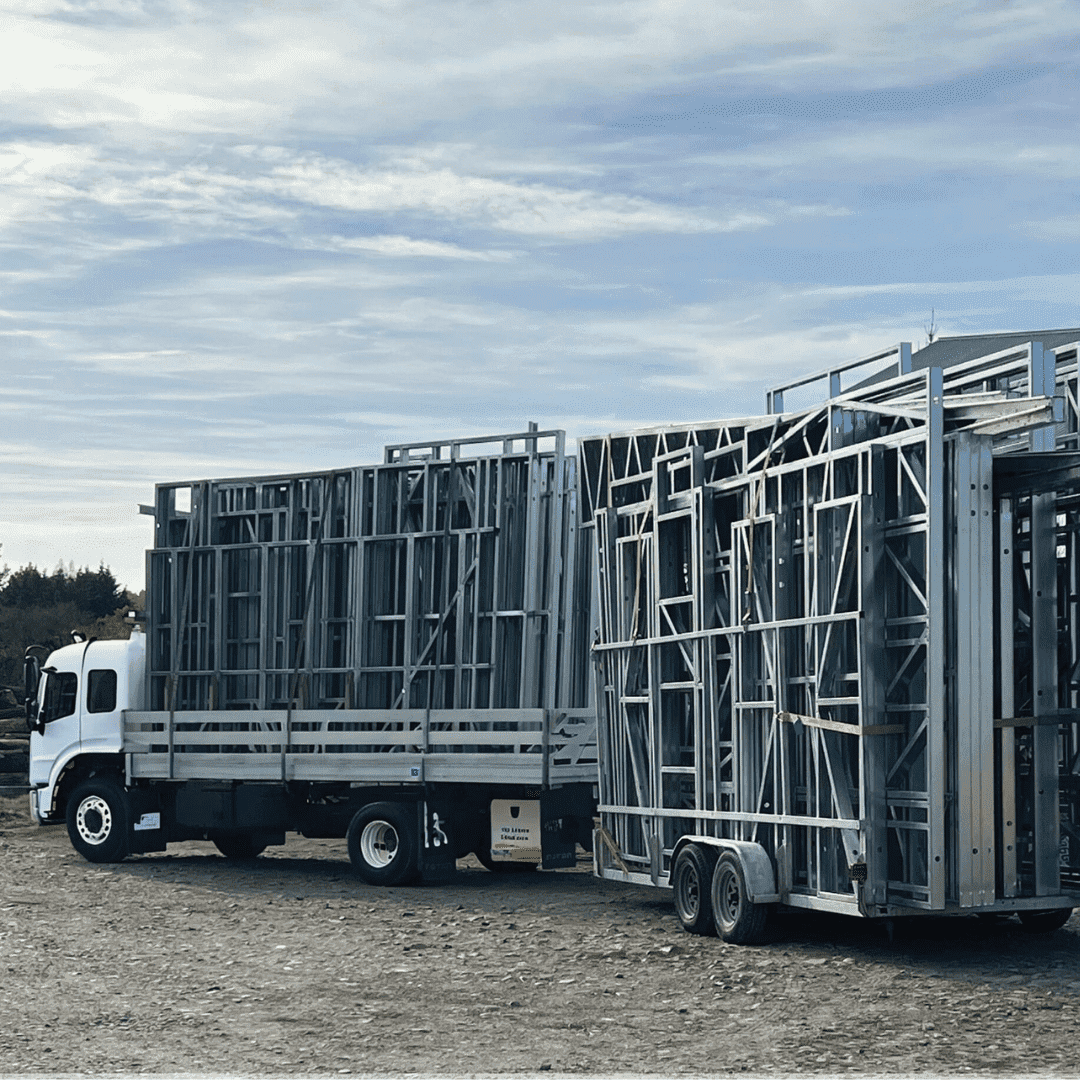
x,y
40,609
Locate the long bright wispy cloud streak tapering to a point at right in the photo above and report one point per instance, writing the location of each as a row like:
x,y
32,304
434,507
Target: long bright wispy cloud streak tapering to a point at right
x,y
208,200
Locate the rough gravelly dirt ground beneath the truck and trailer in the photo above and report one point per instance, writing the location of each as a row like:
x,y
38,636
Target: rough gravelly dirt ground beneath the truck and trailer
x,y
184,964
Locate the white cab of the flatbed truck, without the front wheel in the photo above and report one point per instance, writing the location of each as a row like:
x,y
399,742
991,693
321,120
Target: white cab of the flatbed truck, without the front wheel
x,y
76,715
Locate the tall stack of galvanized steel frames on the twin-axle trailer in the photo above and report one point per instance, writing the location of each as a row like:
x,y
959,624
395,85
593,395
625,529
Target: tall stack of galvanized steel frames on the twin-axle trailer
x,y
850,634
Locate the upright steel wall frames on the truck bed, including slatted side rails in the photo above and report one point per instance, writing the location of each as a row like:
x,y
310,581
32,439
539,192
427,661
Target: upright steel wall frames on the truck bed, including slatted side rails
x,y
440,595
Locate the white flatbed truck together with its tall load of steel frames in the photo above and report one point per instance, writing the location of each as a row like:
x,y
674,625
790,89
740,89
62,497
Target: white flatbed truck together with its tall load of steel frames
x,y
387,654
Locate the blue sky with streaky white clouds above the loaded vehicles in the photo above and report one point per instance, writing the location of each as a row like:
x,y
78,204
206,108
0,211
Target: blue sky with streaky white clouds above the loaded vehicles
x,y
262,238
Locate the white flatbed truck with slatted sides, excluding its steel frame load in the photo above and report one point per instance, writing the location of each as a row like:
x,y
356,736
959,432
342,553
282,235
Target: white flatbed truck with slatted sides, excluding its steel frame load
x,y
129,781
